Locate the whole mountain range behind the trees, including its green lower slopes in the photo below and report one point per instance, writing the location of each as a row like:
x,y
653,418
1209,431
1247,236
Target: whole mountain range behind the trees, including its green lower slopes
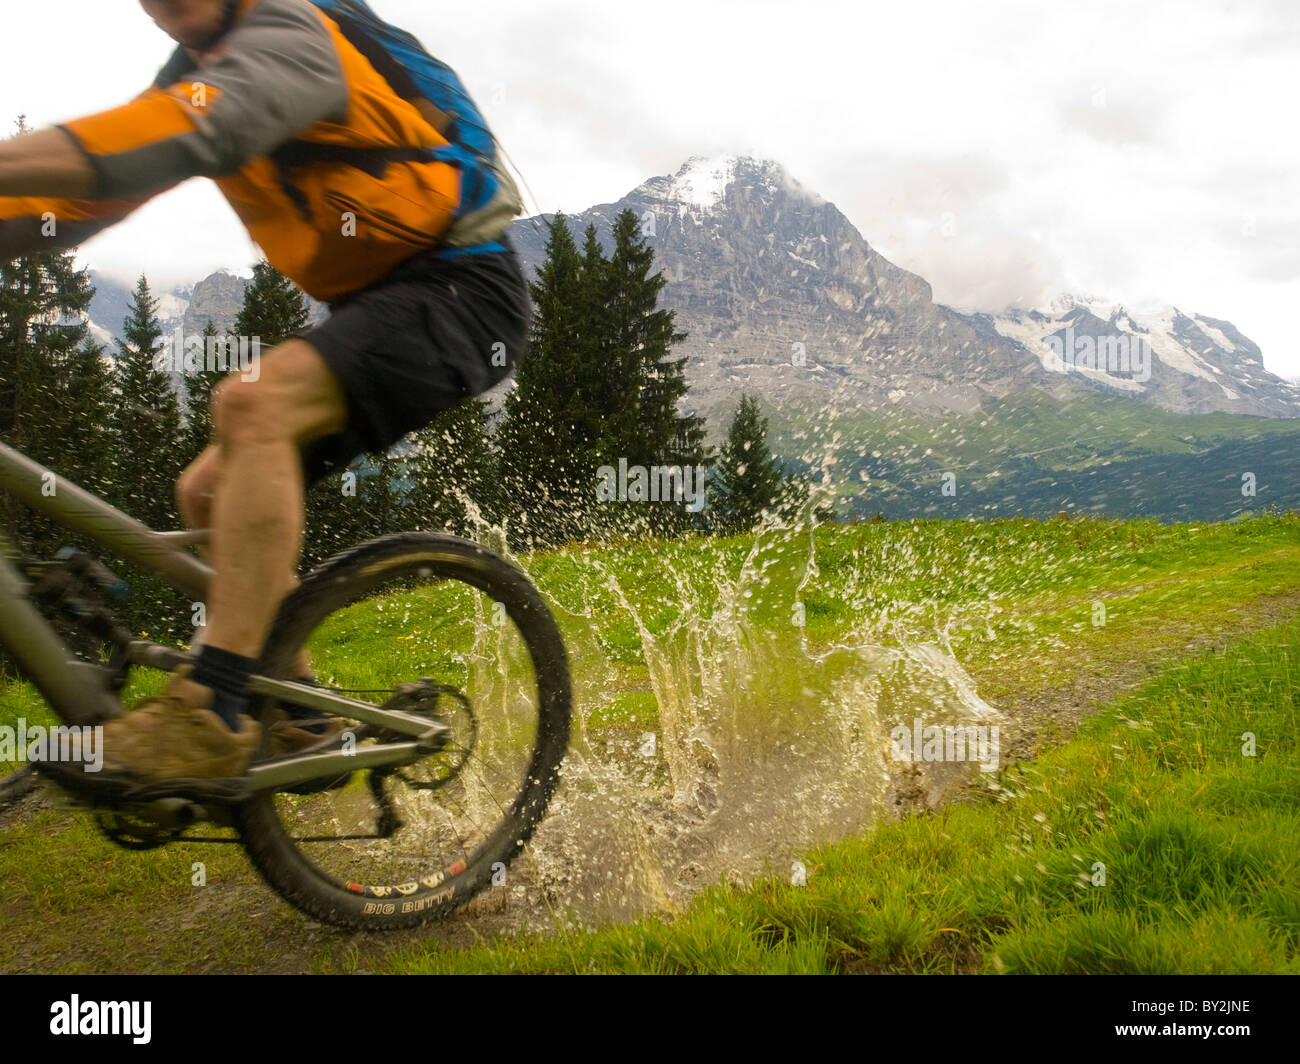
x,y
916,406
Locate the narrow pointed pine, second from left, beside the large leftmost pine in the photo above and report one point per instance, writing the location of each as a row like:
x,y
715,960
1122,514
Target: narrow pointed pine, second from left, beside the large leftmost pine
x,y
146,429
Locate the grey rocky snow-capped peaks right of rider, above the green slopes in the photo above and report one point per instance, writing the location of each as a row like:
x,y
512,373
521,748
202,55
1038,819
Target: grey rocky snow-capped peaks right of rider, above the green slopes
x,y
782,295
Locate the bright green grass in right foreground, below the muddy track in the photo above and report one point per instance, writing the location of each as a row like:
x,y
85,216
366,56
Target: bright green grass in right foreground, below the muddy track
x,y
1147,845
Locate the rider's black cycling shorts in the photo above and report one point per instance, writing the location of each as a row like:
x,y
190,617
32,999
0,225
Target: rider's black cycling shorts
x,y
426,338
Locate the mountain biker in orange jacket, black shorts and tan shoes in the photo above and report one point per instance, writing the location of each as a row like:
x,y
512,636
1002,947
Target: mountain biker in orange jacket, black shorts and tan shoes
x,y
326,165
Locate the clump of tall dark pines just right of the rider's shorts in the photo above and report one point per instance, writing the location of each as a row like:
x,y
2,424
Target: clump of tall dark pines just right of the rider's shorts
x,y
600,386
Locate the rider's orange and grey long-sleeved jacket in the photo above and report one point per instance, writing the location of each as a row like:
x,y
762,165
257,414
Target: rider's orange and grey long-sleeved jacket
x,y
326,165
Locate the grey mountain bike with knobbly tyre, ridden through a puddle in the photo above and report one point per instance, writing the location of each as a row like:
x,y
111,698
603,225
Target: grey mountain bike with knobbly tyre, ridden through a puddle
x,y
440,658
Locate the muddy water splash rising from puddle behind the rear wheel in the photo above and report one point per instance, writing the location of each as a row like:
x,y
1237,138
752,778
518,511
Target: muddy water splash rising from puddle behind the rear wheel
x,y
714,738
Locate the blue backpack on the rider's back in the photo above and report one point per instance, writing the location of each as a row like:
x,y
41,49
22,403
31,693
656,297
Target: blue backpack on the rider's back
x,y
489,197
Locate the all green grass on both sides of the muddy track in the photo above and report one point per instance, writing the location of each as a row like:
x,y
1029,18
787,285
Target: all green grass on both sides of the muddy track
x,y
1017,602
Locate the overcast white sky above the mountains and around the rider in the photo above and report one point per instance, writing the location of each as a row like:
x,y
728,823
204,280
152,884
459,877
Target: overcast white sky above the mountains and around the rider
x,y
1145,153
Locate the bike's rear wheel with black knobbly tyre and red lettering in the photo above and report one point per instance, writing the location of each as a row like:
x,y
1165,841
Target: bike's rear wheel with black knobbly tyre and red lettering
x,y
432,625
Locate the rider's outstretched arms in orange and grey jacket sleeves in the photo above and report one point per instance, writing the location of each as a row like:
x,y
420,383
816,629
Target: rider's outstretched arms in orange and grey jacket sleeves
x,y
271,79
